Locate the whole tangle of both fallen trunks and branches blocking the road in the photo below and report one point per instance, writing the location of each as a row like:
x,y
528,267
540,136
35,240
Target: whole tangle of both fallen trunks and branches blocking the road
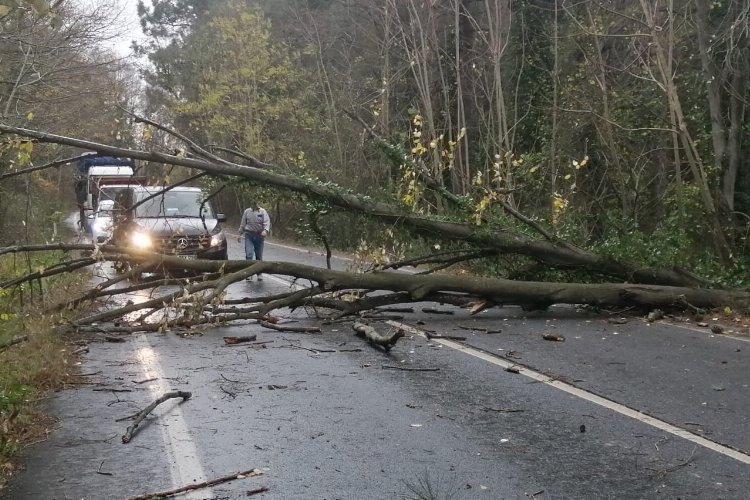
x,y
197,302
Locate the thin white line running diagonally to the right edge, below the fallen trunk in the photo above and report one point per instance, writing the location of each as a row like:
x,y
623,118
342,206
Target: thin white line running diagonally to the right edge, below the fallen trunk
x,y
588,396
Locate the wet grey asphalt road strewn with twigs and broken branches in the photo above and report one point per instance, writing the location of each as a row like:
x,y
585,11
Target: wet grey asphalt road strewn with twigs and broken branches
x,y
634,410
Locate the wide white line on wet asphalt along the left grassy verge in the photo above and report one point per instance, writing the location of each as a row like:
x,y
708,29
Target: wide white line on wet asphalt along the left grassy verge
x,y
182,454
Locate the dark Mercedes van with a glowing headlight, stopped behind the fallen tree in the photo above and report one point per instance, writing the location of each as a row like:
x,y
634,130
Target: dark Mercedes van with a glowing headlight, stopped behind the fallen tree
x,y
172,221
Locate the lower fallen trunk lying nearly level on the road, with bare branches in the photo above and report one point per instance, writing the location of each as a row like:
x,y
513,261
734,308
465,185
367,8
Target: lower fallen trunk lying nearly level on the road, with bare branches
x,y
201,300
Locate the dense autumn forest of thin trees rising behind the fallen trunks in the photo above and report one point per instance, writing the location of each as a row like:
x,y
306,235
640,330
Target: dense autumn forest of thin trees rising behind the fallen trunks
x,y
615,126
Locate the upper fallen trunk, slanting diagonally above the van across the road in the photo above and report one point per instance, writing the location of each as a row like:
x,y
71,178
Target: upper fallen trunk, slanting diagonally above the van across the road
x,y
492,239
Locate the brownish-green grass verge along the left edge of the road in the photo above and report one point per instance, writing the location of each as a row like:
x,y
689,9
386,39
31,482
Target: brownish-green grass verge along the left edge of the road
x,y
34,359
